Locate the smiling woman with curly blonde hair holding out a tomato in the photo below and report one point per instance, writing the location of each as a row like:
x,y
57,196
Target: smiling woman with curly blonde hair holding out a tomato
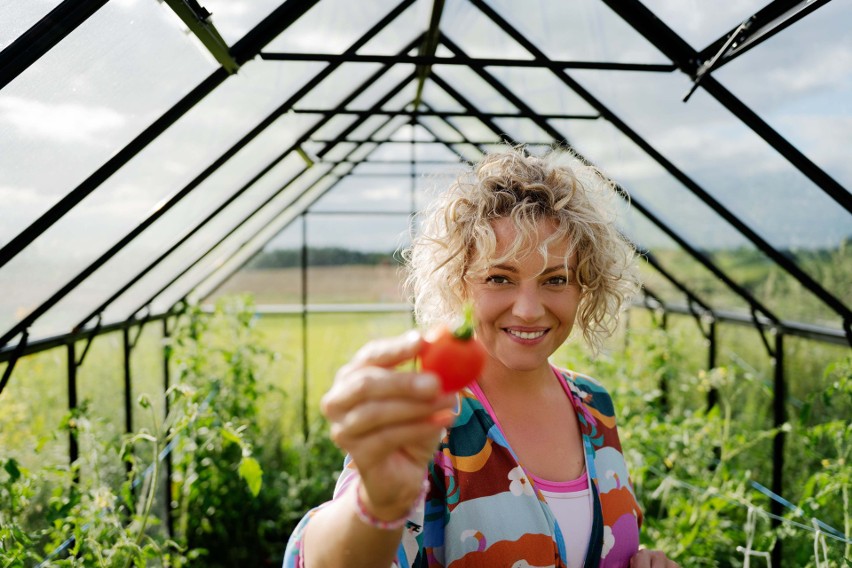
x,y
523,468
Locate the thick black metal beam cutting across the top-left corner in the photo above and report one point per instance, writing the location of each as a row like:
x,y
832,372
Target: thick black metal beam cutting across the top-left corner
x,y
43,35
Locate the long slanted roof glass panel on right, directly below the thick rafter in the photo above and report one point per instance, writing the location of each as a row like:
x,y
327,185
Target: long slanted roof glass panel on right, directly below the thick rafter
x,y
733,164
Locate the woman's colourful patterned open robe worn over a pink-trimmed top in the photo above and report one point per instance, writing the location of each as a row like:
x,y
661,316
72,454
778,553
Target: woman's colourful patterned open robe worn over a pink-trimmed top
x,y
483,511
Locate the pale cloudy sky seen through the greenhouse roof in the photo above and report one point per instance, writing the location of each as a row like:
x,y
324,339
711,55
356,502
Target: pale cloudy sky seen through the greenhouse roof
x,y
117,73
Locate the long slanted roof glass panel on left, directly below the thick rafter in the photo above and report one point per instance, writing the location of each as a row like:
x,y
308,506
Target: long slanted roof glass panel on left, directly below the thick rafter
x,y
133,193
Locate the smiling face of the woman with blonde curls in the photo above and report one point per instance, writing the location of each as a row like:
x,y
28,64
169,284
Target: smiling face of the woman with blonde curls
x,y
524,313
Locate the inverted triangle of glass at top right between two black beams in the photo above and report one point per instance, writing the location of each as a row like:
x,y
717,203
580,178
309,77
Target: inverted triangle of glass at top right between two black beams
x,y
702,23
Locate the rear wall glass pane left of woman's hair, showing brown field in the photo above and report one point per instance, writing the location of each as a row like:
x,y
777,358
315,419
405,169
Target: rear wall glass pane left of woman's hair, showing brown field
x,y
352,258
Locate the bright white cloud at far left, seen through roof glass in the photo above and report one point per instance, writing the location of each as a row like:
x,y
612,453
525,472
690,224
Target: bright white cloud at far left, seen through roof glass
x,y
63,122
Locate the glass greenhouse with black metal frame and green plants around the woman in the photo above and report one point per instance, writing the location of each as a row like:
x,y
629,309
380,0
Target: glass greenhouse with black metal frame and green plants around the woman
x,y
205,205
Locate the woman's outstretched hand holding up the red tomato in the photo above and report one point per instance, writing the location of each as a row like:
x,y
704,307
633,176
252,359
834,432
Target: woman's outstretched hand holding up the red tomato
x,y
389,421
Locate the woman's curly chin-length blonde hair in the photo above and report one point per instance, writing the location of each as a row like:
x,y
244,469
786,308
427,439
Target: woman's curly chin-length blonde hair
x,y
456,235
